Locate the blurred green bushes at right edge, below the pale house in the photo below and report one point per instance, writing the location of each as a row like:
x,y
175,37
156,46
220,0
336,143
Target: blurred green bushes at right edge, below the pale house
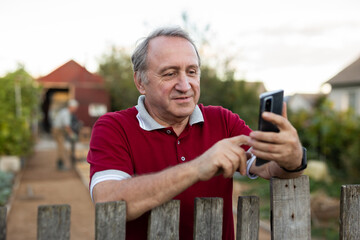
x,y
331,136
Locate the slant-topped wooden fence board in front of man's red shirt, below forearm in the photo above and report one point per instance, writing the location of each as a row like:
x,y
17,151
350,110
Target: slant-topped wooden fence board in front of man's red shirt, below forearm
x,y
164,221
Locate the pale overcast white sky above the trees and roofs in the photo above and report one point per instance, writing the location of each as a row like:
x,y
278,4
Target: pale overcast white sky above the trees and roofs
x,y
295,45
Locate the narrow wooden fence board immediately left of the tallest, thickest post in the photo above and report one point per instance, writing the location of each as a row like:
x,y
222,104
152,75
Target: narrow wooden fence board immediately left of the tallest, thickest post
x,y
248,217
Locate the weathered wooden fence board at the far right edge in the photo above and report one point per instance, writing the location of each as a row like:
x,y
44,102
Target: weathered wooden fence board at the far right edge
x,y
350,212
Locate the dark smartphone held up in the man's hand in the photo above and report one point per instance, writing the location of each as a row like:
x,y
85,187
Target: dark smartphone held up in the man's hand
x,y
269,102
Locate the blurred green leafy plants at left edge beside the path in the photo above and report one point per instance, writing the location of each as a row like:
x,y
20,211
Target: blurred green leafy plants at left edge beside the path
x,y
19,99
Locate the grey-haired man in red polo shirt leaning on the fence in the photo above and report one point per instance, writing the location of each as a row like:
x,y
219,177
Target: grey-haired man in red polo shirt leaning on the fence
x,y
170,147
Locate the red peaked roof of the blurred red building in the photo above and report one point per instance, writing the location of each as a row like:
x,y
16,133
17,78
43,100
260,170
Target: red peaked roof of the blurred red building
x,y
71,72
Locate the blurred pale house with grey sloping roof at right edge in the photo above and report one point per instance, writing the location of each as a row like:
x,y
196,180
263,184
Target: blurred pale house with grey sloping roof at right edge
x,y
345,88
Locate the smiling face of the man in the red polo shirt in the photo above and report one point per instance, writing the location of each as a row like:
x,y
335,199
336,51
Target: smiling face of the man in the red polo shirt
x,y
173,87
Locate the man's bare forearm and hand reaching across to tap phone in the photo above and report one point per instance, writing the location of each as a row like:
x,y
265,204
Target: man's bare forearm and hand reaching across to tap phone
x,y
145,192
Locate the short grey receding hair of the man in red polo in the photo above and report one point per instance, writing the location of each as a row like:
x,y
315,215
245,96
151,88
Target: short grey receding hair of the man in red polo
x,y
139,57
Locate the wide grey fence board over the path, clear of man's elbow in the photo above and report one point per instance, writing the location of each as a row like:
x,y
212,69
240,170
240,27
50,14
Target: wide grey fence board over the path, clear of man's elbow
x,y
53,222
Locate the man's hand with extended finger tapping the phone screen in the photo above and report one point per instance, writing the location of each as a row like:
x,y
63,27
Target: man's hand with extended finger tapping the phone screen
x,y
224,157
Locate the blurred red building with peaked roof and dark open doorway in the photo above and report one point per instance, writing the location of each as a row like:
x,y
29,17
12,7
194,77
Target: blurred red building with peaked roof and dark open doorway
x,y
73,81
